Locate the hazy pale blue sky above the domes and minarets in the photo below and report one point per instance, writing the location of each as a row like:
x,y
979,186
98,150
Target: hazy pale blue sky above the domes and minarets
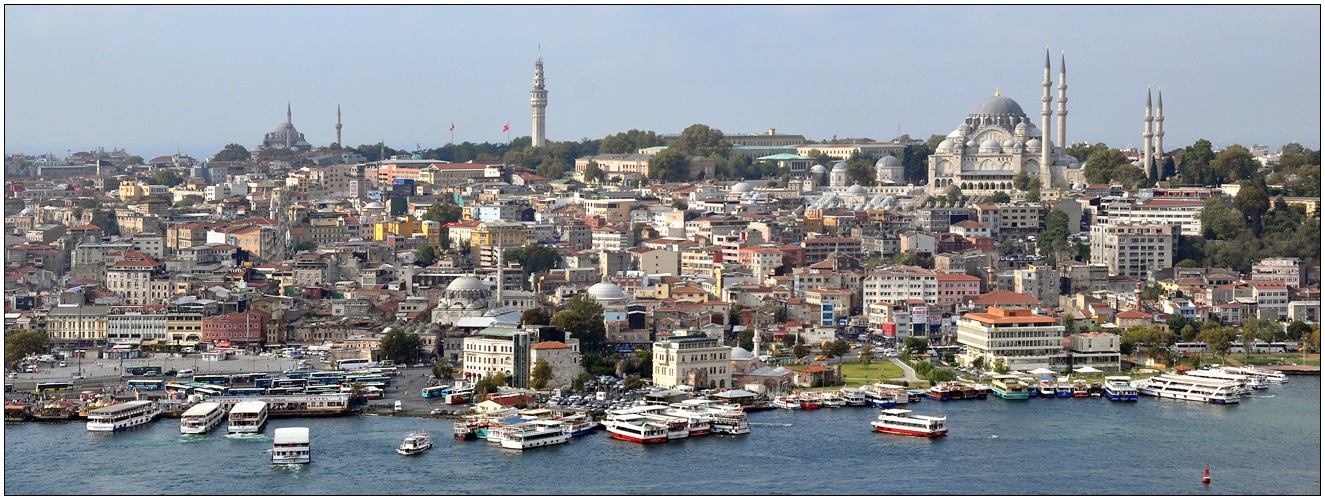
x,y
195,79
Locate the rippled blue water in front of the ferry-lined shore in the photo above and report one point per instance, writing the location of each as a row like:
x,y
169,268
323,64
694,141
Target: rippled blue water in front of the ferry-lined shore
x,y
1269,445
